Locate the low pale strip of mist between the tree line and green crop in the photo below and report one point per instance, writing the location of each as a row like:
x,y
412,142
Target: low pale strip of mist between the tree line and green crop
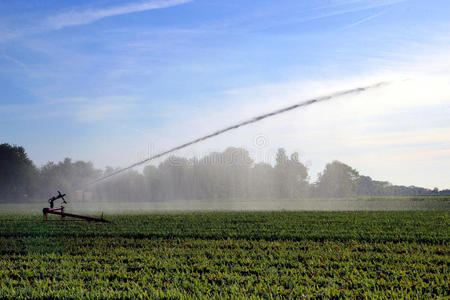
x,y
236,205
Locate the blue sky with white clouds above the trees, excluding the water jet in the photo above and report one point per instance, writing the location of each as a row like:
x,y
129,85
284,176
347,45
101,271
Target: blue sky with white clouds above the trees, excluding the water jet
x,y
115,81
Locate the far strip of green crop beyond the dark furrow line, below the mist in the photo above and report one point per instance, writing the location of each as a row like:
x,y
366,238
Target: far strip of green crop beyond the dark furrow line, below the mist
x,y
429,227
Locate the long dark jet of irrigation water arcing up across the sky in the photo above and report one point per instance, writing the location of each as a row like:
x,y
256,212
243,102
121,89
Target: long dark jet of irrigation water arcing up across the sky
x,y
244,123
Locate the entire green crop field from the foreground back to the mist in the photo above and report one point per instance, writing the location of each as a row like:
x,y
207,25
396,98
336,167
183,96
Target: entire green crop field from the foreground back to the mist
x,y
233,255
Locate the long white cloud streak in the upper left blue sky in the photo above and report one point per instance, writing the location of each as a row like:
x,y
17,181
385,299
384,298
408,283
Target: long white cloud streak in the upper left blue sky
x,y
85,17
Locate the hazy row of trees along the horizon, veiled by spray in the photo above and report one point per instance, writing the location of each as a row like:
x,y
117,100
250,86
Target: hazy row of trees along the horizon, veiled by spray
x,y
218,175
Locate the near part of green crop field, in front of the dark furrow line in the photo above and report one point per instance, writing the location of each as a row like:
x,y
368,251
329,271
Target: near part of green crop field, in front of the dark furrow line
x,y
115,268
